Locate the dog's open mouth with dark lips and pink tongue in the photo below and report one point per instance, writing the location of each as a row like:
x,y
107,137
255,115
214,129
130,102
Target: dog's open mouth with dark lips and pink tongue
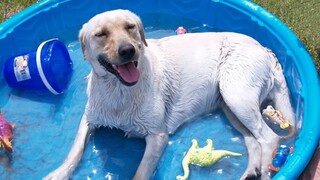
x,y
127,73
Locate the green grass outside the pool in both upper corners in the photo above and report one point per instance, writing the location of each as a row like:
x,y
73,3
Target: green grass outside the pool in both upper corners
x,y
302,16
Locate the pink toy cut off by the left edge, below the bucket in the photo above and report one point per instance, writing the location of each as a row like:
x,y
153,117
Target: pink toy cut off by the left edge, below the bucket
x,y
6,135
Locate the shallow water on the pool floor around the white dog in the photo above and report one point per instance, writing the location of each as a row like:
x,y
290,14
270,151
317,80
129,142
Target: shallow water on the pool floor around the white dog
x,y
46,126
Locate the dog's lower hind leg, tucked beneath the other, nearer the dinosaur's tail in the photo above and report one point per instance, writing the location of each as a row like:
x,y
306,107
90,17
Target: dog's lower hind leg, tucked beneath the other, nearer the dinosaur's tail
x,y
253,146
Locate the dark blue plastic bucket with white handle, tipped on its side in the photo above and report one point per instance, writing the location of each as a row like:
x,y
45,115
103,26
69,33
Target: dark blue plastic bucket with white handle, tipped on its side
x,y
48,68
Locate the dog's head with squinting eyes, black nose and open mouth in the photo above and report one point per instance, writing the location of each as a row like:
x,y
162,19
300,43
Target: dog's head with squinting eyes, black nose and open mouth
x,y
113,42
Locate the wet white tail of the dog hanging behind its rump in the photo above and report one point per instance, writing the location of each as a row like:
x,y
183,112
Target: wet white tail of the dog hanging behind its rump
x,y
281,96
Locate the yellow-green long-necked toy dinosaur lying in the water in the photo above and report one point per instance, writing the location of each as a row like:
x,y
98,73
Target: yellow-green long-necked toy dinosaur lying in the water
x,y
205,156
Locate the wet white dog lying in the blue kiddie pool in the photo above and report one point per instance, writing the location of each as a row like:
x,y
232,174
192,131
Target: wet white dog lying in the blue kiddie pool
x,y
148,88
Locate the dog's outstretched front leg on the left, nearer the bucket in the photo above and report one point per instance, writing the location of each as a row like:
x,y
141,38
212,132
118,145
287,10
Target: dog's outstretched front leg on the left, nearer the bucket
x,y
74,156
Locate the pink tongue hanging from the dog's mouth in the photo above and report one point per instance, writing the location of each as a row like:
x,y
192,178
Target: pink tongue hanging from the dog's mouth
x,y
129,72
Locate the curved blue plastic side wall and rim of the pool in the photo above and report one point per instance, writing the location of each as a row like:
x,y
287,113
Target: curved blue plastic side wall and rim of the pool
x,y
63,19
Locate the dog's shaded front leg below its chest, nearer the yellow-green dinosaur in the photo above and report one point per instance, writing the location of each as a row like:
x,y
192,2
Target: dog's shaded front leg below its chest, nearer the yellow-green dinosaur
x,y
155,144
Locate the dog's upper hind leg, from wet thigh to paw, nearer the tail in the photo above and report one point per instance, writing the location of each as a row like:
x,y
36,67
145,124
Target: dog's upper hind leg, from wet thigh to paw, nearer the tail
x,y
245,105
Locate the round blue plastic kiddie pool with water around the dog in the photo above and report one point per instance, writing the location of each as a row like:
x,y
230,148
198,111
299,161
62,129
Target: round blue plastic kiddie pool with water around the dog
x,y
46,124
